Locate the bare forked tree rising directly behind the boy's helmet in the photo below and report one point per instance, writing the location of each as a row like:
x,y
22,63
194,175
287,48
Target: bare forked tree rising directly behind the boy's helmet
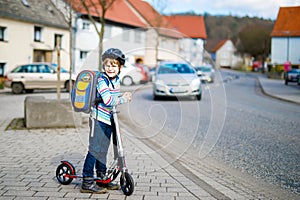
x,y
96,10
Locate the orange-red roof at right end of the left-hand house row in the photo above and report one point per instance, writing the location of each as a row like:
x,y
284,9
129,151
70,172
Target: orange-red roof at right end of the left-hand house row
x,y
190,26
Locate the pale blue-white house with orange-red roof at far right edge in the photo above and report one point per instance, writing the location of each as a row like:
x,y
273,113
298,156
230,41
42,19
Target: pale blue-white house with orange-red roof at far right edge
x,y
286,37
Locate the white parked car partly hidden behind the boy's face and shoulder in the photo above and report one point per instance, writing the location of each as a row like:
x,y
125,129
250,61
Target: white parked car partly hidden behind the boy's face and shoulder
x,y
130,75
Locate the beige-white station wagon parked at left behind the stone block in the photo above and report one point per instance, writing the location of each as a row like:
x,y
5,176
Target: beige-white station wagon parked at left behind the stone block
x,y
36,76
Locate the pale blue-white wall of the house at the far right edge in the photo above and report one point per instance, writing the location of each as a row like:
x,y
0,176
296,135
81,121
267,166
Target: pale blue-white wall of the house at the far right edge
x,y
285,49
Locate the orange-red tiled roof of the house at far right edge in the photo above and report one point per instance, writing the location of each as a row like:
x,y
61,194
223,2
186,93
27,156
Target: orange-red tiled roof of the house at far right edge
x,y
287,22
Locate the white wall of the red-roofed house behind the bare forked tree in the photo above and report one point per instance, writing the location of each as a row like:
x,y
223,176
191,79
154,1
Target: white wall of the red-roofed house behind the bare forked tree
x,y
88,41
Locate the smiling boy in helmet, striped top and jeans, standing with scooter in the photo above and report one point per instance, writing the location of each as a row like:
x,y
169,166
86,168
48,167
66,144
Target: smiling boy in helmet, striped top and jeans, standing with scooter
x,y
108,87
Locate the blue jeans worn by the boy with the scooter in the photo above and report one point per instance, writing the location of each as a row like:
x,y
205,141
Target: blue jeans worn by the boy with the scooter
x,y
99,140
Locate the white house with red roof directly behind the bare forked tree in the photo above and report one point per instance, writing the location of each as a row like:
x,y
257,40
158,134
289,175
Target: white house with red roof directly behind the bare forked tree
x,y
123,29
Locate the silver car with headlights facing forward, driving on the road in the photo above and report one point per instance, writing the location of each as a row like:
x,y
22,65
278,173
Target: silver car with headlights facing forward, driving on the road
x,y
176,79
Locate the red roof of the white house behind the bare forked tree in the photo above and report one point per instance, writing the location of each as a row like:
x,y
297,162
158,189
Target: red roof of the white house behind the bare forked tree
x,y
119,12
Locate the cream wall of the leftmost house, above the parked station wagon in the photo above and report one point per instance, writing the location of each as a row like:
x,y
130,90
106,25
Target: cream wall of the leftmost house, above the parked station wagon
x,y
20,43
